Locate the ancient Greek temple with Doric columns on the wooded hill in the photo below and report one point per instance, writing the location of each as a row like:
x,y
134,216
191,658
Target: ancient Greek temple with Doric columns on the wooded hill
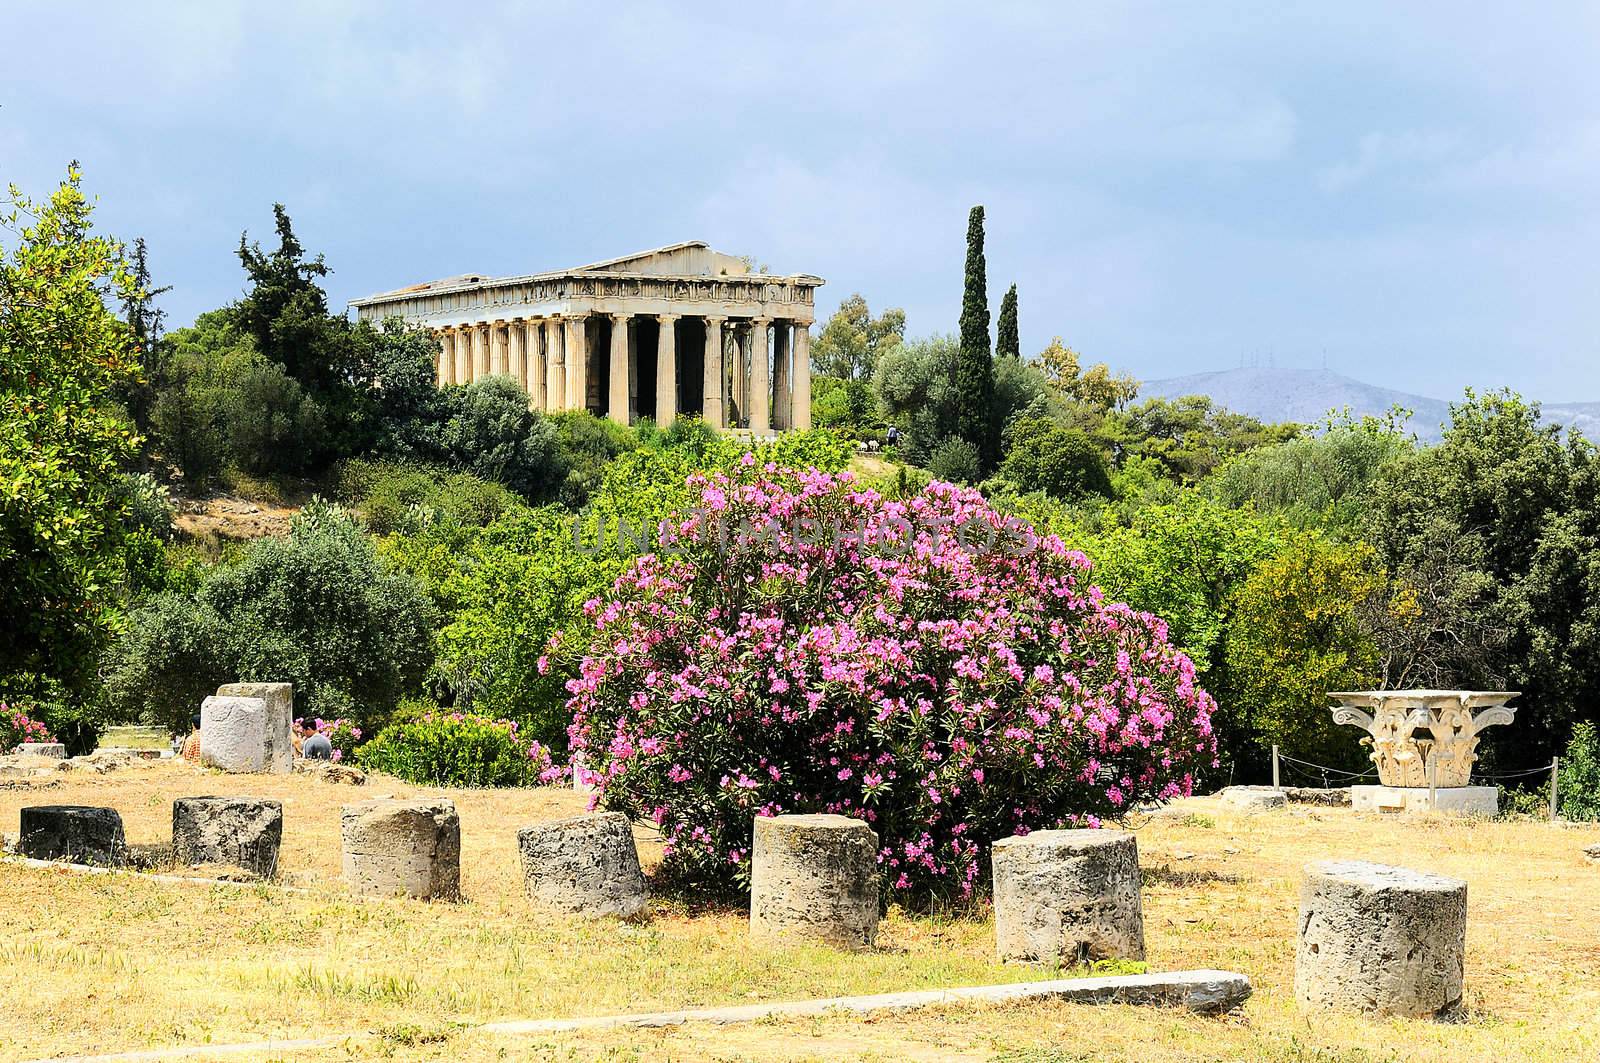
x,y
682,329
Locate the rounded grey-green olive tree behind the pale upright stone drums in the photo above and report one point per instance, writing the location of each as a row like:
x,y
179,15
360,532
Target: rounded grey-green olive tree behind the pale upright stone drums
x,y
318,609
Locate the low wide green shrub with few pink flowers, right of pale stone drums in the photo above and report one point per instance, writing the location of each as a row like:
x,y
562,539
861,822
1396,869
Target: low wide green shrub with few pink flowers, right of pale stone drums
x,y
458,750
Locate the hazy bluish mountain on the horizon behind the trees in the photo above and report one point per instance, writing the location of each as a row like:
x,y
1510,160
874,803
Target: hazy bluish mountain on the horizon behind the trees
x,y
1306,396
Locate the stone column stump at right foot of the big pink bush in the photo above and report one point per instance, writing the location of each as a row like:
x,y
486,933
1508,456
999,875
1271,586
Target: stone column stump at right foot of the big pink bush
x,y
1068,897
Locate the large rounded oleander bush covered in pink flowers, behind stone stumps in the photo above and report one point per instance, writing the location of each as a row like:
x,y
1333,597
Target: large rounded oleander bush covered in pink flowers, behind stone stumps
x,y
806,646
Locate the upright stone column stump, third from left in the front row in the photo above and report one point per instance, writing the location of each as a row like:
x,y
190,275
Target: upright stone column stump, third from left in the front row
x,y
402,849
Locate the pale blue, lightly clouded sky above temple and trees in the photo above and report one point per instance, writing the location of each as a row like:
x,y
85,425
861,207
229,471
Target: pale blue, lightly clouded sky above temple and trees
x,y
1409,195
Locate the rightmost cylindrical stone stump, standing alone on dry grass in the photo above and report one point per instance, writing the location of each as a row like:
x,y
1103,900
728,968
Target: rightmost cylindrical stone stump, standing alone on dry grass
x,y
1378,939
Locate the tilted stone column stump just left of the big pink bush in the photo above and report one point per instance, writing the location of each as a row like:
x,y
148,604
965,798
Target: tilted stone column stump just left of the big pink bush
x,y
585,865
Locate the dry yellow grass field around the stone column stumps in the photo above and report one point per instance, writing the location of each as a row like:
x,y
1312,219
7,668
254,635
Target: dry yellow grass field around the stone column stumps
x,y
119,963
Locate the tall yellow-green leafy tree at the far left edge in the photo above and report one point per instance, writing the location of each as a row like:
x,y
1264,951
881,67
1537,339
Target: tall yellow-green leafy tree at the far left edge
x,y
63,356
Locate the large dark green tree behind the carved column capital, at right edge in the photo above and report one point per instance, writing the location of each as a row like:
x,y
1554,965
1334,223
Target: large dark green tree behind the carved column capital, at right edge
x,y
1500,526
